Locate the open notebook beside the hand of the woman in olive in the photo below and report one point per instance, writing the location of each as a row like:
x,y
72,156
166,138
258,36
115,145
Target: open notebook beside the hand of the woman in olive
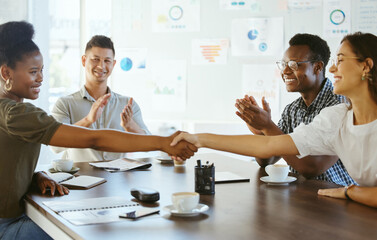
x,y
76,182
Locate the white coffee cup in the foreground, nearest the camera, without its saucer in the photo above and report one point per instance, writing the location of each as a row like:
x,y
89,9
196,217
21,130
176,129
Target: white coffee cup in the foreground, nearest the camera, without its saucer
x,y
185,201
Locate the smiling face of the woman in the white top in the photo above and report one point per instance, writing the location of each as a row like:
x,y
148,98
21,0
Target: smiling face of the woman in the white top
x,y
347,74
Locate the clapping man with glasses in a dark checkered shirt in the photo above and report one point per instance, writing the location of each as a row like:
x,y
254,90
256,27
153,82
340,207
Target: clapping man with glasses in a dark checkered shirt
x,y
302,70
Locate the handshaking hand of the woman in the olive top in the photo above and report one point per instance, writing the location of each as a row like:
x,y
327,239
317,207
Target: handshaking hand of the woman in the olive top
x,y
181,150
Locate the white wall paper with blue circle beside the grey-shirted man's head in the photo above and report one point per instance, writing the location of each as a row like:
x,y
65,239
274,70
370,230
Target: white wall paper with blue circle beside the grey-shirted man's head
x,y
131,60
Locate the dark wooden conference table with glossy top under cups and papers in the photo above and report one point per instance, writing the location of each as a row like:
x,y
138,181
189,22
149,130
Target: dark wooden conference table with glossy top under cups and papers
x,y
244,210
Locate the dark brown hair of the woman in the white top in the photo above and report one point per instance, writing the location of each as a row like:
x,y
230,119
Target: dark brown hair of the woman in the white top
x,y
364,45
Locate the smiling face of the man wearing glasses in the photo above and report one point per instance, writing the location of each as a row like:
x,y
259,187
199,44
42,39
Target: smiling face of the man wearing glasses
x,y
304,79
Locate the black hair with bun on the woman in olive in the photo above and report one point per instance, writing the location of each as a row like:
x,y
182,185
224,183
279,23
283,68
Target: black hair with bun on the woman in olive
x,y
15,42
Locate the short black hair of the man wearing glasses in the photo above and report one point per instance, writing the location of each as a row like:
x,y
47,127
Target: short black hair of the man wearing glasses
x,y
319,49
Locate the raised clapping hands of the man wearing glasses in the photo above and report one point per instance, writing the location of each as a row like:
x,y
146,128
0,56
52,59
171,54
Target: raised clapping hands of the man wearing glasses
x,y
256,118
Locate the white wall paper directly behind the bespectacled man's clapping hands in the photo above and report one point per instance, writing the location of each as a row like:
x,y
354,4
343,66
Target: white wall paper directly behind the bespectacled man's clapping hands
x,y
260,80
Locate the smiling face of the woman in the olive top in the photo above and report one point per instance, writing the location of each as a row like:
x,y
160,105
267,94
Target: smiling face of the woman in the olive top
x,y
27,77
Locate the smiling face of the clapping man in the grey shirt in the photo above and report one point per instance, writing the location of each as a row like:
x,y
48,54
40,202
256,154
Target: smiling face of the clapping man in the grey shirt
x,y
98,63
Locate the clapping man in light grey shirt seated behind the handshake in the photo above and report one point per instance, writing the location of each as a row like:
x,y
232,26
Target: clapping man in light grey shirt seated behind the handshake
x,y
95,105
